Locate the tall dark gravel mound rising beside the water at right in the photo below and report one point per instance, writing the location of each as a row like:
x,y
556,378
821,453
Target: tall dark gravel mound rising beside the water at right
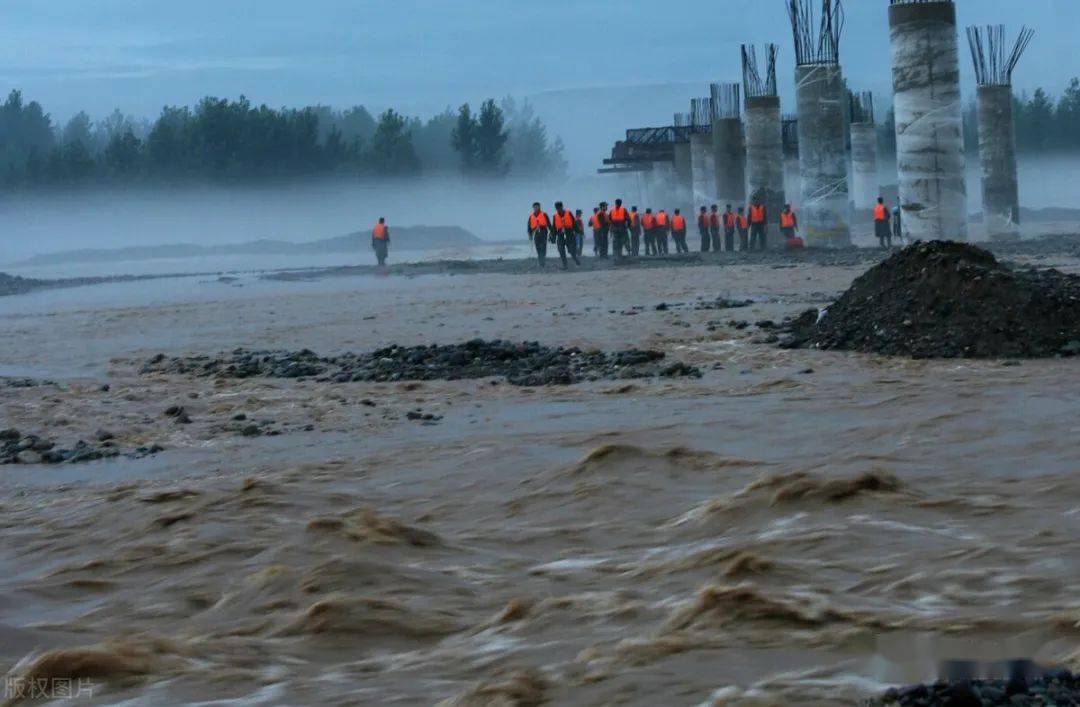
x,y
949,301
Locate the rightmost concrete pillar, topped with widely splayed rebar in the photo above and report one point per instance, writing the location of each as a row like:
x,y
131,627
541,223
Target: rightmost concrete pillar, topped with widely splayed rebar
x,y
997,142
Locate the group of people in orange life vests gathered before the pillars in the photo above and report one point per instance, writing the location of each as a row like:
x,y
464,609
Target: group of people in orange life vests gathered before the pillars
x,y
624,233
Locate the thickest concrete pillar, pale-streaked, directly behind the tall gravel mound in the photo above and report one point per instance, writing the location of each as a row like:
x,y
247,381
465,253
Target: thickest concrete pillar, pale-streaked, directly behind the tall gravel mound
x,y
926,84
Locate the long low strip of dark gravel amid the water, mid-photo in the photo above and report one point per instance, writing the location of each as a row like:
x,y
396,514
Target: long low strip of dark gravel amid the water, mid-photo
x,y
521,364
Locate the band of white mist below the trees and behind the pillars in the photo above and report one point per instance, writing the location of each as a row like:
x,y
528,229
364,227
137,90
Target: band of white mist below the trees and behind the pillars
x,y
36,224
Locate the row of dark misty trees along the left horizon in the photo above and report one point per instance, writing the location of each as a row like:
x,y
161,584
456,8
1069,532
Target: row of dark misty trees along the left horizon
x,y
234,140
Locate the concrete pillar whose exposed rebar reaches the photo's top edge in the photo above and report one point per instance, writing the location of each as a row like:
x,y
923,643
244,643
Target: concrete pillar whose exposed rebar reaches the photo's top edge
x,y
821,104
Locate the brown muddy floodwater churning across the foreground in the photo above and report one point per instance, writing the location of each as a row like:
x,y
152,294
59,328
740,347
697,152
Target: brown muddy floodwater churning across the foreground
x,y
794,527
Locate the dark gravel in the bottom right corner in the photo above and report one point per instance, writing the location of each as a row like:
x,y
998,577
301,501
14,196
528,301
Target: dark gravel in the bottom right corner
x,y
1061,689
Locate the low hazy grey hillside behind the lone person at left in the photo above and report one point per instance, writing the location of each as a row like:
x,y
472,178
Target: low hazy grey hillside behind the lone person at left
x,y
412,238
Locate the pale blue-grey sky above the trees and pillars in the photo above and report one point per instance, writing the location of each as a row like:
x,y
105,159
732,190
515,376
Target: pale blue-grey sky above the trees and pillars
x,y
422,56
